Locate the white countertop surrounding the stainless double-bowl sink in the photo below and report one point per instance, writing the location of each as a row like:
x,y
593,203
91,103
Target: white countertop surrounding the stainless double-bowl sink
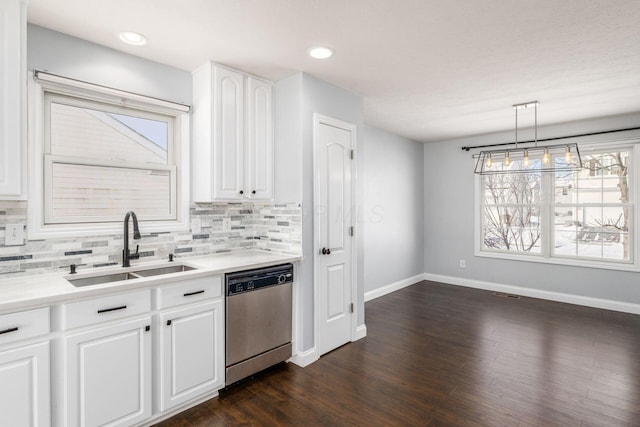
x,y
28,292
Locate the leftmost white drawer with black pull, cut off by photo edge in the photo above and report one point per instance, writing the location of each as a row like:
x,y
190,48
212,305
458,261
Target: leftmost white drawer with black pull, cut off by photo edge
x,y
24,324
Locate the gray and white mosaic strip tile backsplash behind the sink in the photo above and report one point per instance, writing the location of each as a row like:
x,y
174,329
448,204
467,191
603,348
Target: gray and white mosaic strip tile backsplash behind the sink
x,y
216,228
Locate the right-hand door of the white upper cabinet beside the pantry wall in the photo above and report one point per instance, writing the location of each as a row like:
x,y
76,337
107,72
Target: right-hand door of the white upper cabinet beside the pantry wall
x,y
259,157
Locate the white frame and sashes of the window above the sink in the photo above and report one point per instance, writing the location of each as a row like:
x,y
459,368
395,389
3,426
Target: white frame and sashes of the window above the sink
x,y
40,218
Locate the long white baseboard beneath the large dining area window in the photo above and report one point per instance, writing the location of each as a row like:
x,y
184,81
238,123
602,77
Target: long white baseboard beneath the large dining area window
x,y
606,304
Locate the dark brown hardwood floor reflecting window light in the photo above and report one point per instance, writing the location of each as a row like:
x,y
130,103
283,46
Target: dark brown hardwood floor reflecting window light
x,y
441,355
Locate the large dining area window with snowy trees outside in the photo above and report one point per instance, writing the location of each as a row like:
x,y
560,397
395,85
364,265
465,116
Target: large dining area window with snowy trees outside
x,y
582,218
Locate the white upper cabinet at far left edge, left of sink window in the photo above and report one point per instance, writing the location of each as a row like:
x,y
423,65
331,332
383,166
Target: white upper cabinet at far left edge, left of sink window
x,y
13,16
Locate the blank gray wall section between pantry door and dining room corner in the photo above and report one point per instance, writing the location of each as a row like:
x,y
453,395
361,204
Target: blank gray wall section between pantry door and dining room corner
x,y
393,211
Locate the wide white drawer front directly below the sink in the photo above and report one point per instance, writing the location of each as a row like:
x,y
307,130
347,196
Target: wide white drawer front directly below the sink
x,y
107,308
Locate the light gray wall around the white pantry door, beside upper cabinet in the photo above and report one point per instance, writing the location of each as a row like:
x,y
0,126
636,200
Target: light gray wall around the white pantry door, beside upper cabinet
x,y
296,99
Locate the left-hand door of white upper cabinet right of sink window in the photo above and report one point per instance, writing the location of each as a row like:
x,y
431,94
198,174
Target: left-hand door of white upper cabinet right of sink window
x,y
228,125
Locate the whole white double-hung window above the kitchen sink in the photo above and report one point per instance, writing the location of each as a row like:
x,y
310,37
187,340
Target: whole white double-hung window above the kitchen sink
x,y
99,153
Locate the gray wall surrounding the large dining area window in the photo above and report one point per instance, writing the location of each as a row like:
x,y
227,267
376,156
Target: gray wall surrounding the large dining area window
x,y
449,222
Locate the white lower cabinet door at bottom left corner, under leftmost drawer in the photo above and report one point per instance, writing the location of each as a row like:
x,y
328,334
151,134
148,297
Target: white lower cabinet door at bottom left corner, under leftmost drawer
x,y
24,386
